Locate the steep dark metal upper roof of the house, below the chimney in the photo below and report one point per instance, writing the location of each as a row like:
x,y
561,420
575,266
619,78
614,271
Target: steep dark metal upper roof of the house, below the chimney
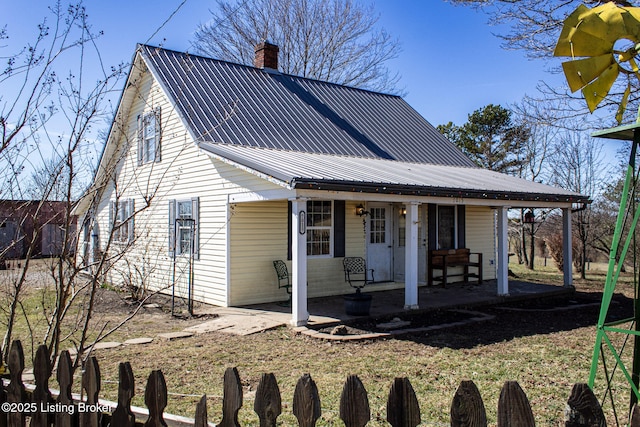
x,y
222,102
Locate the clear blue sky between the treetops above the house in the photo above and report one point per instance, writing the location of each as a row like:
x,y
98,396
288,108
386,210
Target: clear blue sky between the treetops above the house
x,y
451,64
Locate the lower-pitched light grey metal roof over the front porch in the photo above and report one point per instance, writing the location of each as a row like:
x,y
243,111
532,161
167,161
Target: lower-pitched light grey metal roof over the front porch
x,y
313,171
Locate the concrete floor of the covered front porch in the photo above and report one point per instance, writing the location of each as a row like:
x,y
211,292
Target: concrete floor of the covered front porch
x,y
330,310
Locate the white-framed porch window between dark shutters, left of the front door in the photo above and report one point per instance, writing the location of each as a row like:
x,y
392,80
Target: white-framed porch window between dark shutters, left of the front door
x,y
319,227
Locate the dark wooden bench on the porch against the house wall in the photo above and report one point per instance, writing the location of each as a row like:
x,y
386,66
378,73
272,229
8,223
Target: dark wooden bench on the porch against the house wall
x,y
443,259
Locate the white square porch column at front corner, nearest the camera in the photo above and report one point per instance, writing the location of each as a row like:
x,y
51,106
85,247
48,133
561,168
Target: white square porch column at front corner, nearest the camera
x,y
299,313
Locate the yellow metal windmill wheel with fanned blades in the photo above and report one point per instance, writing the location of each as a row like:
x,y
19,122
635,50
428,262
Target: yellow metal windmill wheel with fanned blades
x,y
592,34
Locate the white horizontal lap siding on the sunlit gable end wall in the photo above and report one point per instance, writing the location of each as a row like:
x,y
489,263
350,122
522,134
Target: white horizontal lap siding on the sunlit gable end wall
x,y
183,172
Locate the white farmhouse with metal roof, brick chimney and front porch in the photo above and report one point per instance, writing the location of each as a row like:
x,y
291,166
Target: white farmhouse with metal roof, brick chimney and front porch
x,y
213,170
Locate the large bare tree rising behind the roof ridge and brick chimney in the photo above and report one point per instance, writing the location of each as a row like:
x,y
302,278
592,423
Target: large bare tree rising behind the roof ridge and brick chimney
x,y
330,40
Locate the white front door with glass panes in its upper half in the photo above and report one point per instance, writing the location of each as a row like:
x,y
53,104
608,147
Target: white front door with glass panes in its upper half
x,y
380,241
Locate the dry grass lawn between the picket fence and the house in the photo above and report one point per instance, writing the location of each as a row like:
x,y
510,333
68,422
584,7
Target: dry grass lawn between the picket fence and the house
x,y
545,352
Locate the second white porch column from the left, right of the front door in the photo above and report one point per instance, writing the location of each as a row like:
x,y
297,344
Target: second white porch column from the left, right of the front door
x,y
411,257
